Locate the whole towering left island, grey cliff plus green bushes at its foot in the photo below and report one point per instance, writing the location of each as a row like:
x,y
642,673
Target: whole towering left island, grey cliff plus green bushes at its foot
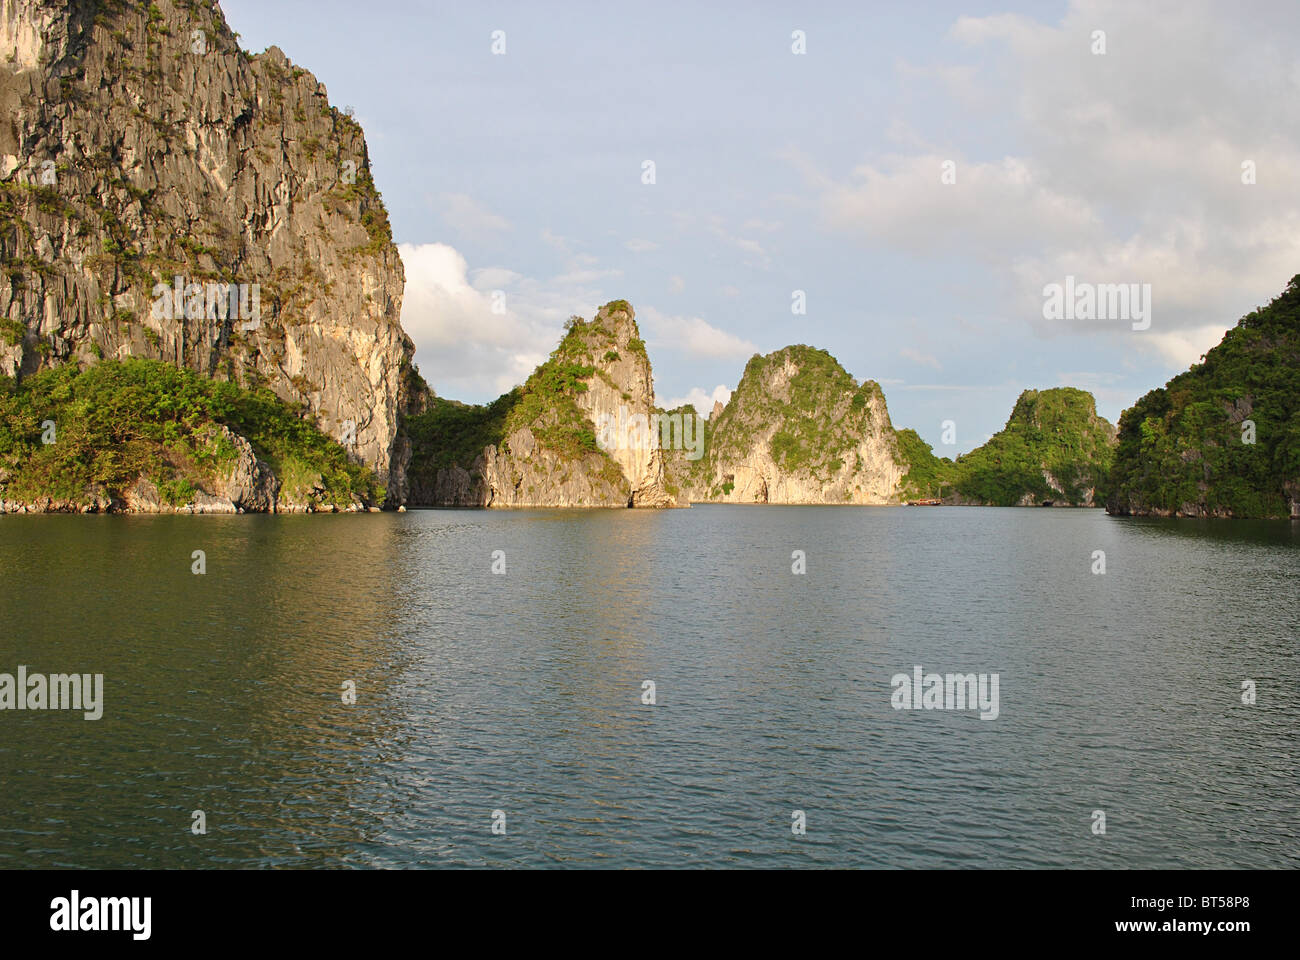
x,y
201,295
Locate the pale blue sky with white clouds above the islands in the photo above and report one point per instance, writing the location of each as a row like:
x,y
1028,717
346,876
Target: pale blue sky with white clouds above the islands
x,y
918,178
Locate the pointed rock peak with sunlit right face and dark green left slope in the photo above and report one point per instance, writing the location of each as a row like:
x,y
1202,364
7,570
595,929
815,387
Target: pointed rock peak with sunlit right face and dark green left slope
x,y
578,434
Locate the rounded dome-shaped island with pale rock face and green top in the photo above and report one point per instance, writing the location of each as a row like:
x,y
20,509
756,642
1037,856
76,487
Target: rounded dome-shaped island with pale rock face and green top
x,y
800,430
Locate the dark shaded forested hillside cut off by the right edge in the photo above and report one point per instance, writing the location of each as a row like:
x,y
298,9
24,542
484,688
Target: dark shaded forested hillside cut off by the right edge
x,y
1223,439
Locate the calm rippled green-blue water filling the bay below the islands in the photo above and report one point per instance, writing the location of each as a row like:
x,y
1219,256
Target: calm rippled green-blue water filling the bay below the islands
x,y
522,693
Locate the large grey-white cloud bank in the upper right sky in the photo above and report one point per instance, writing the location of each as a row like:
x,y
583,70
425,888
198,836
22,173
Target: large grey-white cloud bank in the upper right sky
x,y
1128,167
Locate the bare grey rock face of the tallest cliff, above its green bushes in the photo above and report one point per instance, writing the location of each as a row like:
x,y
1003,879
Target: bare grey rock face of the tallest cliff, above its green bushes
x,y
168,196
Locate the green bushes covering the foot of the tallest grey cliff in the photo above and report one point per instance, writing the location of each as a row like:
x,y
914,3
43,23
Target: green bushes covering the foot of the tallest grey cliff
x,y
120,421
